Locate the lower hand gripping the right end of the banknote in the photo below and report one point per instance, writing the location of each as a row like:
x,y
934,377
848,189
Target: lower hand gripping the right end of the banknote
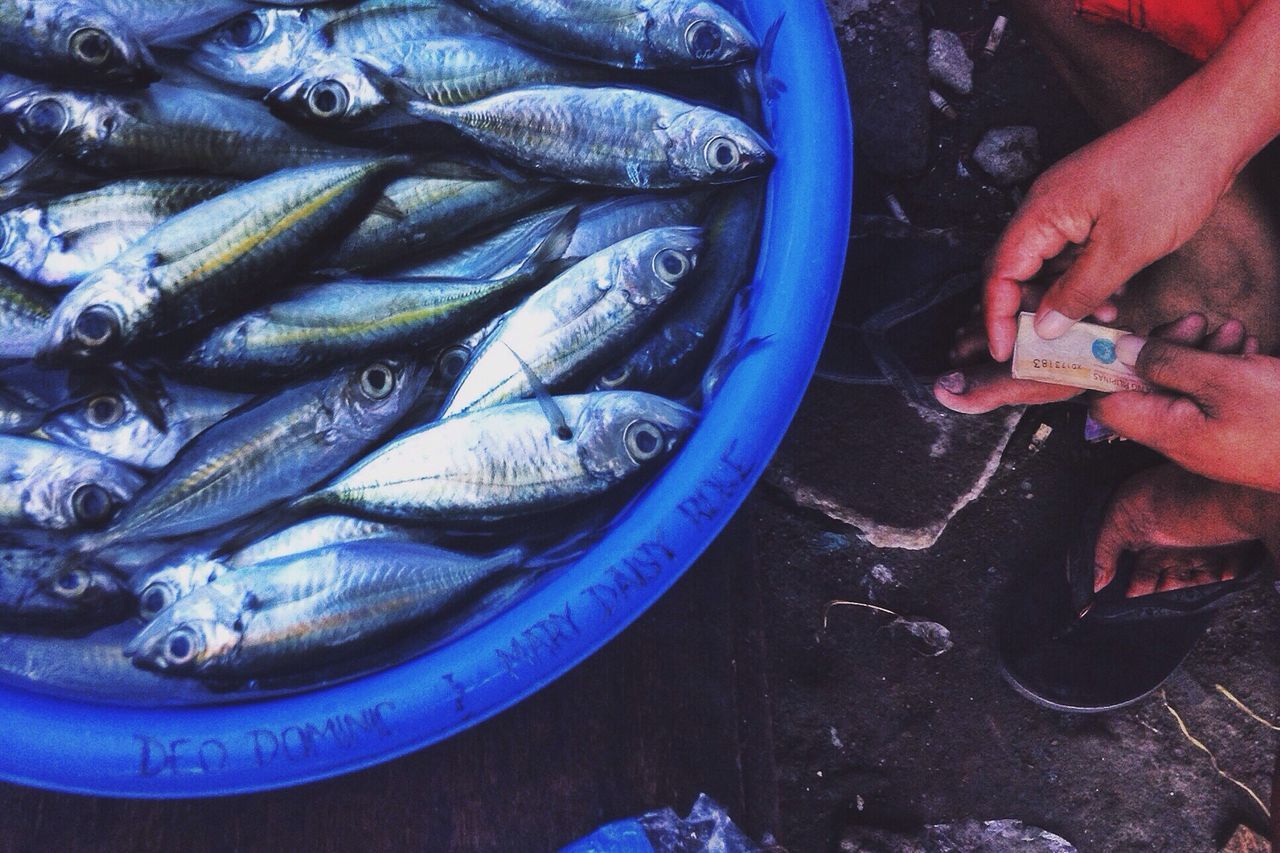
x,y
1213,414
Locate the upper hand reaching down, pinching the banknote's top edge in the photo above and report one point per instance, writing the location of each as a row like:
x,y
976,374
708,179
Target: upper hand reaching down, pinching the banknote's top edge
x,y
1109,211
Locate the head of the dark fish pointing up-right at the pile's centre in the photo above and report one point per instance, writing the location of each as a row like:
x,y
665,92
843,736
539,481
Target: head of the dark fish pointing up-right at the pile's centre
x,y
369,400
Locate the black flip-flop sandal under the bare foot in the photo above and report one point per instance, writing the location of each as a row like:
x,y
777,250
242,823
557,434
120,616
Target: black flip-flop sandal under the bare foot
x,y
1118,653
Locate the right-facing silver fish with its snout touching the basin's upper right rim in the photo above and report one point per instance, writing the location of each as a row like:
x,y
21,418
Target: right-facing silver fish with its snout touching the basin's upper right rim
x,y
605,136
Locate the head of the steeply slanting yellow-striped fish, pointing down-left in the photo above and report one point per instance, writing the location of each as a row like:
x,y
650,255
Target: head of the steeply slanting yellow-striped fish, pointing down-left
x,y
97,321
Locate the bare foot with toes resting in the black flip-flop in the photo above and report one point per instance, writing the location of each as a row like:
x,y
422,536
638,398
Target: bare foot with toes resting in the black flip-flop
x,y
1173,521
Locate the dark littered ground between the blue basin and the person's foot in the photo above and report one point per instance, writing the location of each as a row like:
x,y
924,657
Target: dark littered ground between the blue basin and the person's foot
x,y
860,507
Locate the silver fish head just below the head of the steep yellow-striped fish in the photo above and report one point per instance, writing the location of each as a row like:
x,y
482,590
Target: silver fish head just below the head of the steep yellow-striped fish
x,y
108,422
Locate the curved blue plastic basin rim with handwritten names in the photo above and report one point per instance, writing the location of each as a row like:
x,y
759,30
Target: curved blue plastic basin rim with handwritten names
x,y
255,746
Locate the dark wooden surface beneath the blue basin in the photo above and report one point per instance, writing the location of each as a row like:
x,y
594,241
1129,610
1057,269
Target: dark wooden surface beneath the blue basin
x,y
676,706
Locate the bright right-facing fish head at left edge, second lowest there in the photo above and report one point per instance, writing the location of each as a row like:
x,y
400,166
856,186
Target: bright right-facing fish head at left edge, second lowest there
x,y
77,491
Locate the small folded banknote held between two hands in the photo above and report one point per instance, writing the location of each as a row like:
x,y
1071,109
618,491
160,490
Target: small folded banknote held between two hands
x,y
1084,358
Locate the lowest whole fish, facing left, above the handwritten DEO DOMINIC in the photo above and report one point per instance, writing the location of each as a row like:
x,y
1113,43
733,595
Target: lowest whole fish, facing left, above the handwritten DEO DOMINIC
x,y
336,601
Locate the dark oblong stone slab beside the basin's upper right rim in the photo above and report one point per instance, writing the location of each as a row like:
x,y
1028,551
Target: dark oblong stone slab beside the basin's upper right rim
x,y
884,48
